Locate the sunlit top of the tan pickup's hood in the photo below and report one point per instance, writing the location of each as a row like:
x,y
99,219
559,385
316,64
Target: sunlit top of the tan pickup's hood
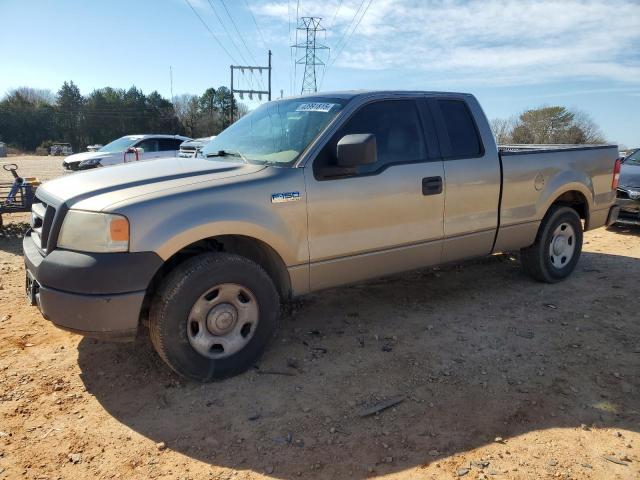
x,y
98,188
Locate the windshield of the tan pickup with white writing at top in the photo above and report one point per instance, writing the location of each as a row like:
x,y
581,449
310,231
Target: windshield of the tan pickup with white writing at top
x,y
276,132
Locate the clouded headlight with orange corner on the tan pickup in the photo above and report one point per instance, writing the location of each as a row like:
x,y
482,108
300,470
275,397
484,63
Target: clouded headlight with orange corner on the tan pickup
x,y
94,232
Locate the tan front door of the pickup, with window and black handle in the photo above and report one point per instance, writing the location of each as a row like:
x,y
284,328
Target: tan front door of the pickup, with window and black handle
x,y
386,217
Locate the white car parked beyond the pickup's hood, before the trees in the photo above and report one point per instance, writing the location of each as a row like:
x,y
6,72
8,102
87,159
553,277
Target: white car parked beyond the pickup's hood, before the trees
x,y
129,148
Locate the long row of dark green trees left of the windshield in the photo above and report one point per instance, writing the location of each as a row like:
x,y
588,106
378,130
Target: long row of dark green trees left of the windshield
x,y
33,119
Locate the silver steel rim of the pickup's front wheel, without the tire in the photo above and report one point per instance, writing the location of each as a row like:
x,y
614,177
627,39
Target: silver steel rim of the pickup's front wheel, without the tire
x,y
222,321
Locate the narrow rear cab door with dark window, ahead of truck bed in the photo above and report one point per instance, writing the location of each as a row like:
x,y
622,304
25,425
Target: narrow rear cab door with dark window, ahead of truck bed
x,y
472,179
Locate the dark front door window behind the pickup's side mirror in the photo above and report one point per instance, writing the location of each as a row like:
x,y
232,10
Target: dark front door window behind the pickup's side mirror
x,y
399,139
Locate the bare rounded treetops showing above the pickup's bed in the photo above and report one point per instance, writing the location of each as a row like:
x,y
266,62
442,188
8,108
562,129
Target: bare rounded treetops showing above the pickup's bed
x,y
547,125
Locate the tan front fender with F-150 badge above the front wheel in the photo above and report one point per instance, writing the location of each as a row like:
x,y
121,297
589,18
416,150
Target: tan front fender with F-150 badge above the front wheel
x,y
167,224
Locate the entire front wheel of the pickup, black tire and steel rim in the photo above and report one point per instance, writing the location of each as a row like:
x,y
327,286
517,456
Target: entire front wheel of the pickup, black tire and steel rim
x,y
191,319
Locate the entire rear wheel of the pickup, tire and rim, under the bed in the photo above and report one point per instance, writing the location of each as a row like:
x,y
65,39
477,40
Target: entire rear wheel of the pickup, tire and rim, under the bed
x,y
550,260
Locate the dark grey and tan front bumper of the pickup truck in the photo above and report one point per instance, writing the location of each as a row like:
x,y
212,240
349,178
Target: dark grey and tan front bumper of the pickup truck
x,y
97,295
